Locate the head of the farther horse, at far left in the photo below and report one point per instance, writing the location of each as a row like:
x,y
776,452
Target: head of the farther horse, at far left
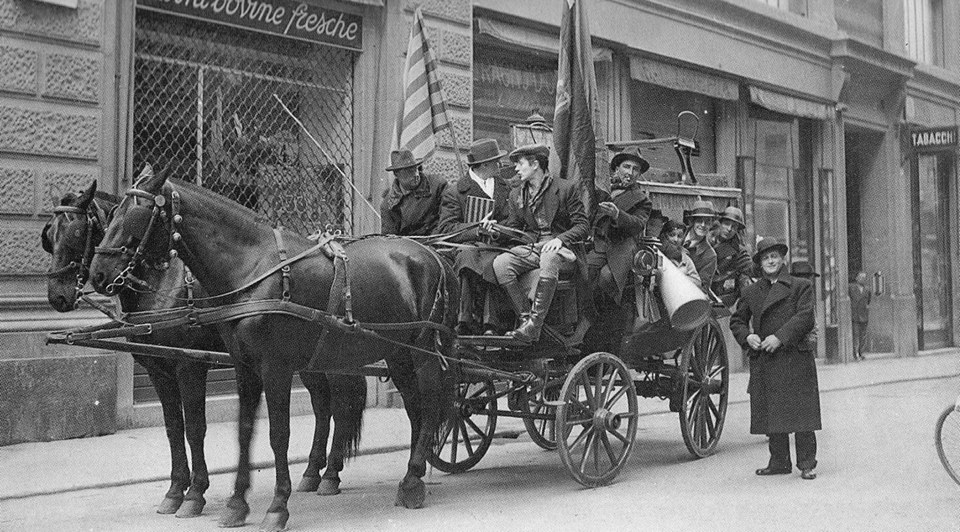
x,y
70,236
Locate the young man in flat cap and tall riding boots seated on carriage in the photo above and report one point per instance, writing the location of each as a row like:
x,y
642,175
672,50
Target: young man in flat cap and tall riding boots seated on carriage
x,y
550,210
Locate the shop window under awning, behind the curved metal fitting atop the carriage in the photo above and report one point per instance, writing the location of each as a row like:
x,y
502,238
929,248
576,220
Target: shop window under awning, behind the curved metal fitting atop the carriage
x,y
654,112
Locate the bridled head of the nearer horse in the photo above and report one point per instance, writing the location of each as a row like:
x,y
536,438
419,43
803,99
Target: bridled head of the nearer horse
x,y
139,234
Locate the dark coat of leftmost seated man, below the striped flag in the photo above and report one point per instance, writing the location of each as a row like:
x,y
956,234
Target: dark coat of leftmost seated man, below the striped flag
x,y
415,213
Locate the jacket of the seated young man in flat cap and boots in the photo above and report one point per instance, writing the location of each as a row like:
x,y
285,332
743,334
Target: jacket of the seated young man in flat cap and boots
x,y
564,210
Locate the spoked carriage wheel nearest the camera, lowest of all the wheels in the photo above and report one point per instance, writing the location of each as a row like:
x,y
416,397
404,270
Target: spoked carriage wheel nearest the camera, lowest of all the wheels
x,y
597,419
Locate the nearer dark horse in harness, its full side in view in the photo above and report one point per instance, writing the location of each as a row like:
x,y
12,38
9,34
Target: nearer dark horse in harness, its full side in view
x,y
394,280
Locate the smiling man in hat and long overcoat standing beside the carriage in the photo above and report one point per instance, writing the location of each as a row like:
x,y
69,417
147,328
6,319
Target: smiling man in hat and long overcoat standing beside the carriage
x,y
772,320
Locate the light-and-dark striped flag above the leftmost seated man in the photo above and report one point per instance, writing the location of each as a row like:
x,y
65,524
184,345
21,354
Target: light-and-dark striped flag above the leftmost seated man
x,y
423,112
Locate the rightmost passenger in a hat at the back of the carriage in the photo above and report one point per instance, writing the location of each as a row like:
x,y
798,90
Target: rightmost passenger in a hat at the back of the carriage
x,y
733,260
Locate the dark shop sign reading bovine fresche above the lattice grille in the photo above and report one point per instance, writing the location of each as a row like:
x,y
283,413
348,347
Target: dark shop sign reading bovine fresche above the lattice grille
x,y
288,18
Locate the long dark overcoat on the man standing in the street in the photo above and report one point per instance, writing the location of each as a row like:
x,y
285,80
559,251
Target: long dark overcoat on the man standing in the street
x,y
784,396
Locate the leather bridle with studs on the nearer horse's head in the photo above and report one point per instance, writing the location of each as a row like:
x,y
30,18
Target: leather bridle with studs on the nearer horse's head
x,y
158,201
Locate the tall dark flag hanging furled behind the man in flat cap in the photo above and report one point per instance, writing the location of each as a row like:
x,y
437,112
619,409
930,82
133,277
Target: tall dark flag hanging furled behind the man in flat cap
x,y
576,134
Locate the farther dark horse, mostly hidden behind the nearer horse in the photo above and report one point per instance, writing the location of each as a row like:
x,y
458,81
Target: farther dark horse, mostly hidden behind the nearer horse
x,y
70,236
